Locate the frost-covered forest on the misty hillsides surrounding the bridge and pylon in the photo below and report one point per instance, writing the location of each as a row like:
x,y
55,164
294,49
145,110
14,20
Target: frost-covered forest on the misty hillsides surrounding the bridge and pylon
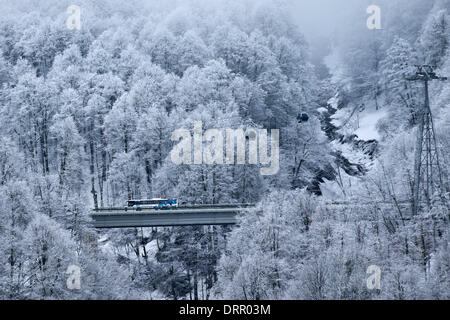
x,y
86,117
